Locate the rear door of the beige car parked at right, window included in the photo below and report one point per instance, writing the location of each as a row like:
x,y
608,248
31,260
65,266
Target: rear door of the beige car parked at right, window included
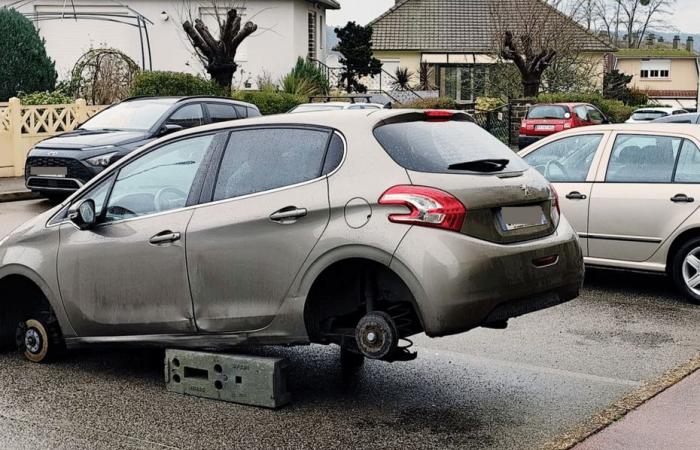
x,y
635,205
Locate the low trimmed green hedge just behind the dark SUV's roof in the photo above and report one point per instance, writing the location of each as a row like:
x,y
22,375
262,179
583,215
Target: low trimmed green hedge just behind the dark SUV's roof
x,y
156,84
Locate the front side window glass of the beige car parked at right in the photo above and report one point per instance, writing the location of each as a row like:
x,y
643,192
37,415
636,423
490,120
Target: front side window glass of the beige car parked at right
x,y
566,160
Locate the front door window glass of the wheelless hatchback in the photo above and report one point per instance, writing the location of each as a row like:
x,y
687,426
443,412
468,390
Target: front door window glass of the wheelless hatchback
x,y
159,181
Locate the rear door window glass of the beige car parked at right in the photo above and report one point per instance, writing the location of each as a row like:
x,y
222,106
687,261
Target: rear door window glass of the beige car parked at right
x,y
643,159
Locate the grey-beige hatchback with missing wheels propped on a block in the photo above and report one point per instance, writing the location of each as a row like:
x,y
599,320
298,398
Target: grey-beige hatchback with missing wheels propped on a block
x,y
355,228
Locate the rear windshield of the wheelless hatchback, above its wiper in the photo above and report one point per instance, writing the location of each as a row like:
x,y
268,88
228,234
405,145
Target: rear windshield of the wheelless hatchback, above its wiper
x,y
435,146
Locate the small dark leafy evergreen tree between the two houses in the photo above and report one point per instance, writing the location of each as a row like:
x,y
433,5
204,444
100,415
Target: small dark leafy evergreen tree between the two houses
x,y
355,46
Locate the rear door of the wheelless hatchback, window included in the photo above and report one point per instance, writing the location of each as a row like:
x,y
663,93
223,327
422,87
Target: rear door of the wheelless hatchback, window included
x,y
269,207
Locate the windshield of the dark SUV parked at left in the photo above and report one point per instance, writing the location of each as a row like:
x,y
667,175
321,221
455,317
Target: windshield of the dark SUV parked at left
x,y
130,116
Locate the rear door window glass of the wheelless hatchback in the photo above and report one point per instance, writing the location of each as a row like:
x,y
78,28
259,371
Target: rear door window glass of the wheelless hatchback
x,y
263,159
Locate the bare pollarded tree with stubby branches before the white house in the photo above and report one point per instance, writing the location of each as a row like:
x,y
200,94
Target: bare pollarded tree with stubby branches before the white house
x,y
219,55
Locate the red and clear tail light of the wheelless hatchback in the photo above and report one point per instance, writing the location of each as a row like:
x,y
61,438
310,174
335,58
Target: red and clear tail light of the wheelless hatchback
x,y
428,207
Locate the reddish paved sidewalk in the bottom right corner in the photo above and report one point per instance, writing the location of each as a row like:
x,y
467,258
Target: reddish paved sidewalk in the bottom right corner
x,y
671,420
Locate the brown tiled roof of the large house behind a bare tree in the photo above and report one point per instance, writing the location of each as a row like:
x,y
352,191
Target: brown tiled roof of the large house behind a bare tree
x,y
464,26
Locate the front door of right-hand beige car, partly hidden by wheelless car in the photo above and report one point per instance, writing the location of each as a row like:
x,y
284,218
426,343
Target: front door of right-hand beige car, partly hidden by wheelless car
x,y
570,164
